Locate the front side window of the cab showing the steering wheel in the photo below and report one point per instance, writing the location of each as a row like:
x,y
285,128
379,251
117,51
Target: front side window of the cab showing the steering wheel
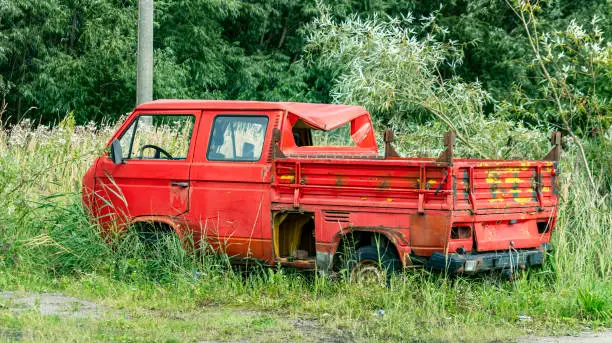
x,y
158,137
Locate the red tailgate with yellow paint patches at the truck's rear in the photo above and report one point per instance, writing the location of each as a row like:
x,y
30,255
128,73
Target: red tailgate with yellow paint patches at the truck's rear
x,y
504,186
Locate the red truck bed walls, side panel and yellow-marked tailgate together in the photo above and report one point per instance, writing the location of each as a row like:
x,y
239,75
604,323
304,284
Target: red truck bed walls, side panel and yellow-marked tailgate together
x,y
417,185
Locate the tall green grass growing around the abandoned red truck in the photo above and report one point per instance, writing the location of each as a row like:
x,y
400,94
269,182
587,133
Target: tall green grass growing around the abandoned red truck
x,y
47,241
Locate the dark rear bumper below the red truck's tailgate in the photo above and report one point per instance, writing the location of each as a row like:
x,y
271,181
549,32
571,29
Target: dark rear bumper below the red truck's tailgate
x,y
471,263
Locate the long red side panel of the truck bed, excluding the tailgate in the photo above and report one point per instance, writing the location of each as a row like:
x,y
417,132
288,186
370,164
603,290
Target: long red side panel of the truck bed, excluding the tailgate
x,y
419,185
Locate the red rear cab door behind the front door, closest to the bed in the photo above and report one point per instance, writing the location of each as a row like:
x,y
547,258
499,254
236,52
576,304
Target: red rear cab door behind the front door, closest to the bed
x,y
231,180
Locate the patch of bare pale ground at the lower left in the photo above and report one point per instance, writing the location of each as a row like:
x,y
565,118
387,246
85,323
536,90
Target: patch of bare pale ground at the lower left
x,y
50,304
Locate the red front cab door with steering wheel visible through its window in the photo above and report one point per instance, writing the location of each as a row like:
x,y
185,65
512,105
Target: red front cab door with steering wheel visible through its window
x,y
153,180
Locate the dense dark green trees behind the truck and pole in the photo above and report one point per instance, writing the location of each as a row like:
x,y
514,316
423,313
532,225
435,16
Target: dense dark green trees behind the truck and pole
x,y
58,56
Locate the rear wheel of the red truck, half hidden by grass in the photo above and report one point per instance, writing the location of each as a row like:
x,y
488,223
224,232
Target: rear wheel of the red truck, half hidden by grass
x,y
372,264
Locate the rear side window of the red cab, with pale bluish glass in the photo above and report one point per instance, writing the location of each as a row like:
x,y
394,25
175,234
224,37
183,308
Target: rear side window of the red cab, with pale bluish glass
x,y
237,138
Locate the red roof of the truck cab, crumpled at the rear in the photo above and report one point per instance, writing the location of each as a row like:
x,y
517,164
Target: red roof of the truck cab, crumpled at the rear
x,y
321,116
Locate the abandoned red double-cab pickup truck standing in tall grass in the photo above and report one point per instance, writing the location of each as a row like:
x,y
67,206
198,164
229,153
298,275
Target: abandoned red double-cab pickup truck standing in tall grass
x,y
304,185
